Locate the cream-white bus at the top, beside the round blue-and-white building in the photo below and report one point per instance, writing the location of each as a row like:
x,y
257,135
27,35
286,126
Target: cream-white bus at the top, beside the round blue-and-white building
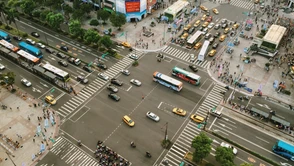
x,y
176,9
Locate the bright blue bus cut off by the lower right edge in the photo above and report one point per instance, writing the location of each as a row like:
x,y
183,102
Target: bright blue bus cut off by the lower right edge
x,y
284,149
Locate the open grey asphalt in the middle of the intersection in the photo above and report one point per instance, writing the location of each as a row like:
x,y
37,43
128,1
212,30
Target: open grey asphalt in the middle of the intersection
x,y
101,117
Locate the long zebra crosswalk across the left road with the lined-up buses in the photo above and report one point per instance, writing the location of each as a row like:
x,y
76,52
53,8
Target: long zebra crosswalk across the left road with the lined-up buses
x,y
94,86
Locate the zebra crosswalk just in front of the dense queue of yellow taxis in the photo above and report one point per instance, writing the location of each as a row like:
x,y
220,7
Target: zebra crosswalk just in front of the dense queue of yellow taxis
x,y
184,56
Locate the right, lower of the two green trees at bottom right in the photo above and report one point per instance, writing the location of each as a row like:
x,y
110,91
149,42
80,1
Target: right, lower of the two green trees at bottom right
x,y
224,156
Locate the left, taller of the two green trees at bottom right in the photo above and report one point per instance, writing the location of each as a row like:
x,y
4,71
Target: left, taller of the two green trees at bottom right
x,y
202,146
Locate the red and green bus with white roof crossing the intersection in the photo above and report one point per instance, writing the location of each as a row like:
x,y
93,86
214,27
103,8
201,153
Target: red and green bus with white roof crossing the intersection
x,y
187,76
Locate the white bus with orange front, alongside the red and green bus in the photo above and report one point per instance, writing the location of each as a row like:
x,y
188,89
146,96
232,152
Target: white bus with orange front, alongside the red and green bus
x,y
167,81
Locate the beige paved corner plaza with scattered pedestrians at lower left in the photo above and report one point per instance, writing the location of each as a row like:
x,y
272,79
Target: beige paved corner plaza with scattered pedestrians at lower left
x,y
19,123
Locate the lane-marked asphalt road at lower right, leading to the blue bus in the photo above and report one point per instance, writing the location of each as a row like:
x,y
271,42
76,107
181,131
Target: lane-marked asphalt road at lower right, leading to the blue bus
x,y
247,135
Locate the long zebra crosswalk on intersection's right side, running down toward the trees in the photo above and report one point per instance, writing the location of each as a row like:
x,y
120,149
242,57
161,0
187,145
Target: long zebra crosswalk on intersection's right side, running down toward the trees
x,y
183,143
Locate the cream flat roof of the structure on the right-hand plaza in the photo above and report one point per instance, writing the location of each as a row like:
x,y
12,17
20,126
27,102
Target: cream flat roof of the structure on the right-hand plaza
x,y
274,34
